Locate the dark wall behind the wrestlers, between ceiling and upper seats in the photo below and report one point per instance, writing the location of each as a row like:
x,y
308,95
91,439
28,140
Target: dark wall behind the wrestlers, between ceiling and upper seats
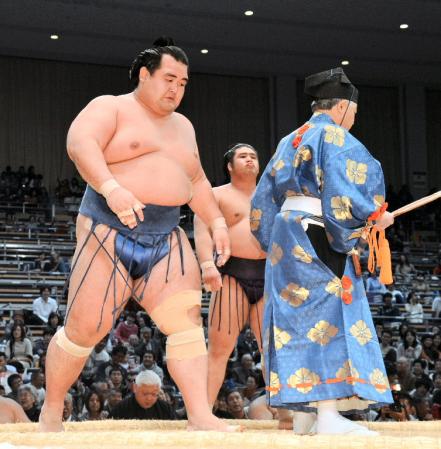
x,y
40,98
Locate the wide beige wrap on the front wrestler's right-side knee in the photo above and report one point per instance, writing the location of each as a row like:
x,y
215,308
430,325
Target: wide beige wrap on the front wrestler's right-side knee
x,y
186,338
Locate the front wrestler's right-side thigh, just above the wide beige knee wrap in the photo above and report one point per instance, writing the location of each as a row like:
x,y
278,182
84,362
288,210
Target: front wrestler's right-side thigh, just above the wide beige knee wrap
x,y
157,288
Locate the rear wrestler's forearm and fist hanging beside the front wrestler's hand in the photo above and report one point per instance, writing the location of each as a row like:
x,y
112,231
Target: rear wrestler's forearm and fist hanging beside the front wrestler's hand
x,y
204,249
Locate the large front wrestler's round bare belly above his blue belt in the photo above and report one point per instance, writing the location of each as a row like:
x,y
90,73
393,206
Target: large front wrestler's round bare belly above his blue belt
x,y
154,179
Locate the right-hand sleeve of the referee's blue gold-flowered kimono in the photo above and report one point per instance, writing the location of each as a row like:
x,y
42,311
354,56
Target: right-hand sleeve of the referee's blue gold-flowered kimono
x,y
353,189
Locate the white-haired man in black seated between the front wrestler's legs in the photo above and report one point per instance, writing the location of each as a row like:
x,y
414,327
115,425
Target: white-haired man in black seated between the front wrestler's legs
x,y
144,402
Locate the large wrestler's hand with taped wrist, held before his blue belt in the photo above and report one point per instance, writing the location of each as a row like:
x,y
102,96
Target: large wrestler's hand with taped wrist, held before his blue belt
x,y
126,206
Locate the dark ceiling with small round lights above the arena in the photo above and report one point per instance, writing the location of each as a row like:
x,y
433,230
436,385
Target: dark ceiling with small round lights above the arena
x,y
294,37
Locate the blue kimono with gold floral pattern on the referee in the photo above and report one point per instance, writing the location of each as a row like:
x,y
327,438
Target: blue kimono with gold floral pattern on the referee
x,y
318,335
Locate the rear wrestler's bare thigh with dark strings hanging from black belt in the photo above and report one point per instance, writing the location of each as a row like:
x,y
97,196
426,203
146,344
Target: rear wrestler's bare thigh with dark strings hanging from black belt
x,y
229,308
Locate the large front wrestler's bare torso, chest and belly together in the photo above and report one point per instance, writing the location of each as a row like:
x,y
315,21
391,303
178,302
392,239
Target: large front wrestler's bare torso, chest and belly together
x,y
154,159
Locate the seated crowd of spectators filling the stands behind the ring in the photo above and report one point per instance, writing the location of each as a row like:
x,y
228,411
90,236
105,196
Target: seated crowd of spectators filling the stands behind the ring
x,y
126,375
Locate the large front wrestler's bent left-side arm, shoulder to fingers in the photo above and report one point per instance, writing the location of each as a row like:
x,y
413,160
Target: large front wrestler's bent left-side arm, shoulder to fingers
x,y
88,136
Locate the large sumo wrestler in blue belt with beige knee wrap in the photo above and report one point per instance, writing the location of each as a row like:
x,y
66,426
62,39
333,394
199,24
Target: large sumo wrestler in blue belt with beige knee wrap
x,y
141,162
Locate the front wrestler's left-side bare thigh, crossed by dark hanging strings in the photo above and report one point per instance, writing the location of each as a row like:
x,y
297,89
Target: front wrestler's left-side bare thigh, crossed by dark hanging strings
x,y
94,293
